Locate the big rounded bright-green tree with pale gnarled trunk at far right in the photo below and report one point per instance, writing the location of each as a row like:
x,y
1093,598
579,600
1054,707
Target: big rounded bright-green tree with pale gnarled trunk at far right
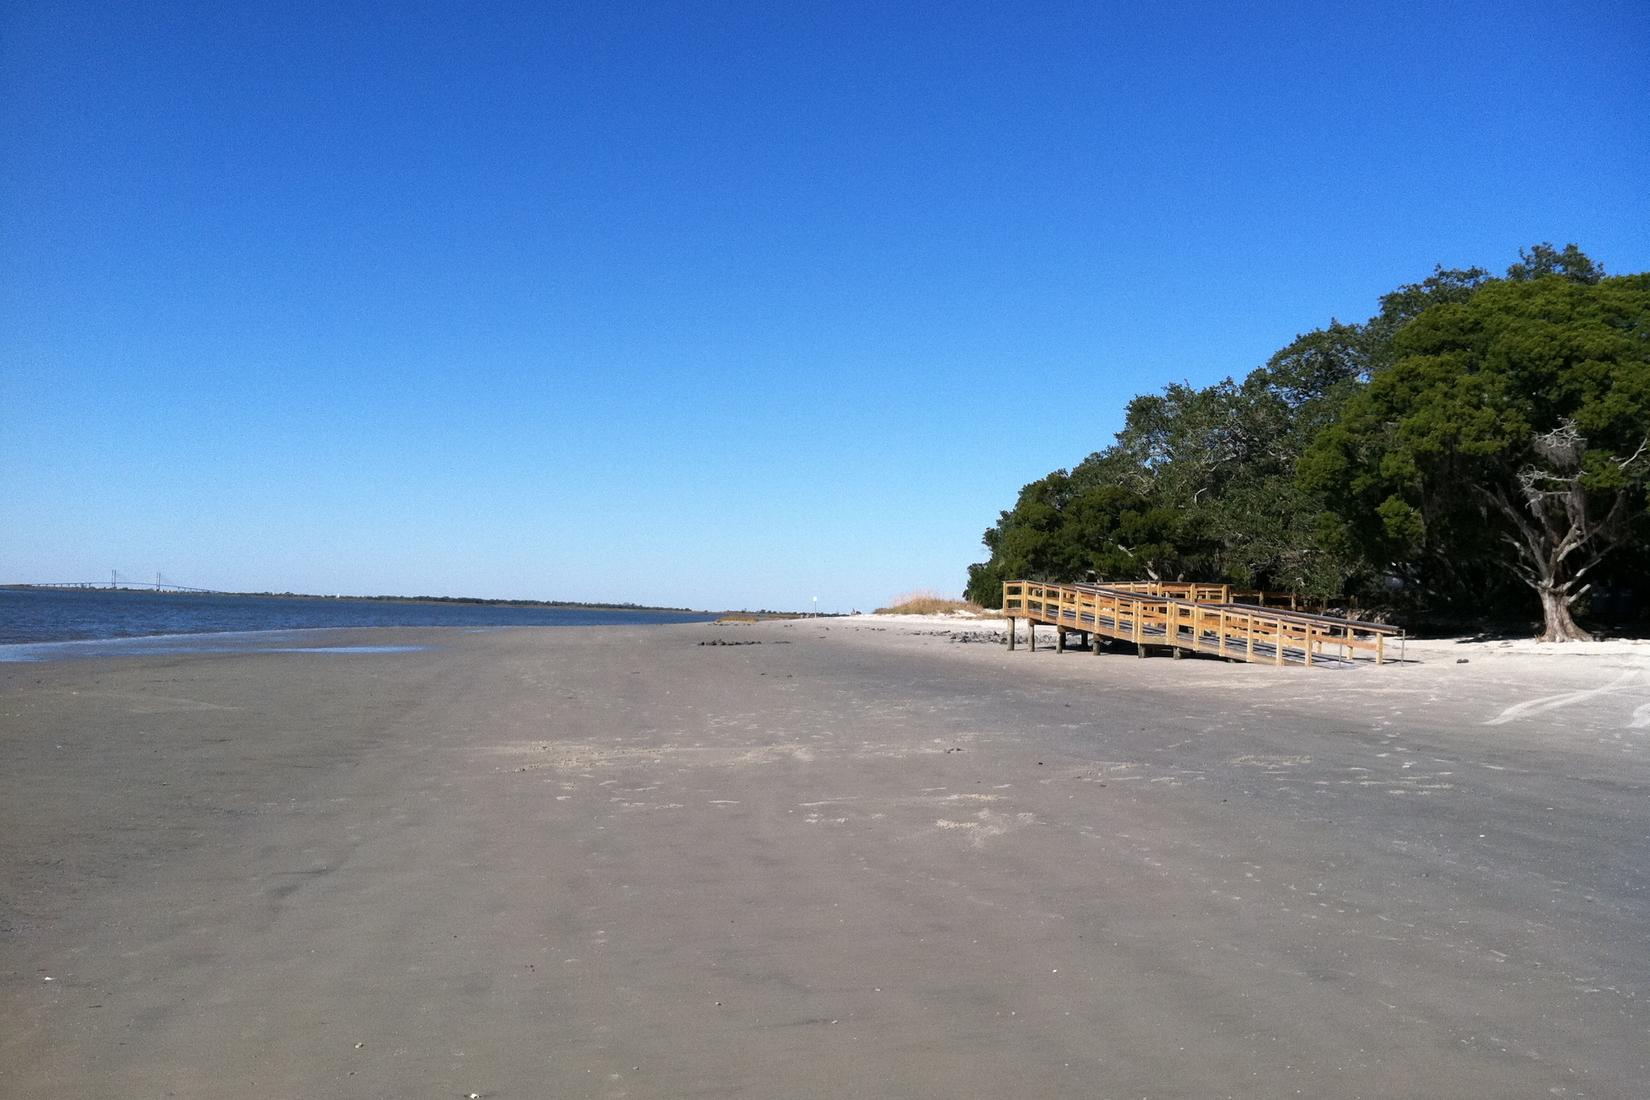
x,y
1509,435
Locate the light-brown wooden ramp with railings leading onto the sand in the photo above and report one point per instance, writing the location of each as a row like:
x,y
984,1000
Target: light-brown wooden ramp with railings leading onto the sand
x,y
1189,618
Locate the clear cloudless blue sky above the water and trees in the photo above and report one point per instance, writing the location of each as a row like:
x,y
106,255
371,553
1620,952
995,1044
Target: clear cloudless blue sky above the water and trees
x,y
725,306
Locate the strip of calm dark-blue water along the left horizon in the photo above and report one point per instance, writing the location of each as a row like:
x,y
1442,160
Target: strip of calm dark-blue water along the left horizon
x,y
78,616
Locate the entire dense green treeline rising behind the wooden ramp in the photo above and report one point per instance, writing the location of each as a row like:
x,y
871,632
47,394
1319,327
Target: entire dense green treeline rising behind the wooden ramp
x,y
1473,453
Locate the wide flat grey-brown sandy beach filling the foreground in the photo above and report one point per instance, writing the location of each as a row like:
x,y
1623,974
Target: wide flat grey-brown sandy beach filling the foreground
x,y
842,858
